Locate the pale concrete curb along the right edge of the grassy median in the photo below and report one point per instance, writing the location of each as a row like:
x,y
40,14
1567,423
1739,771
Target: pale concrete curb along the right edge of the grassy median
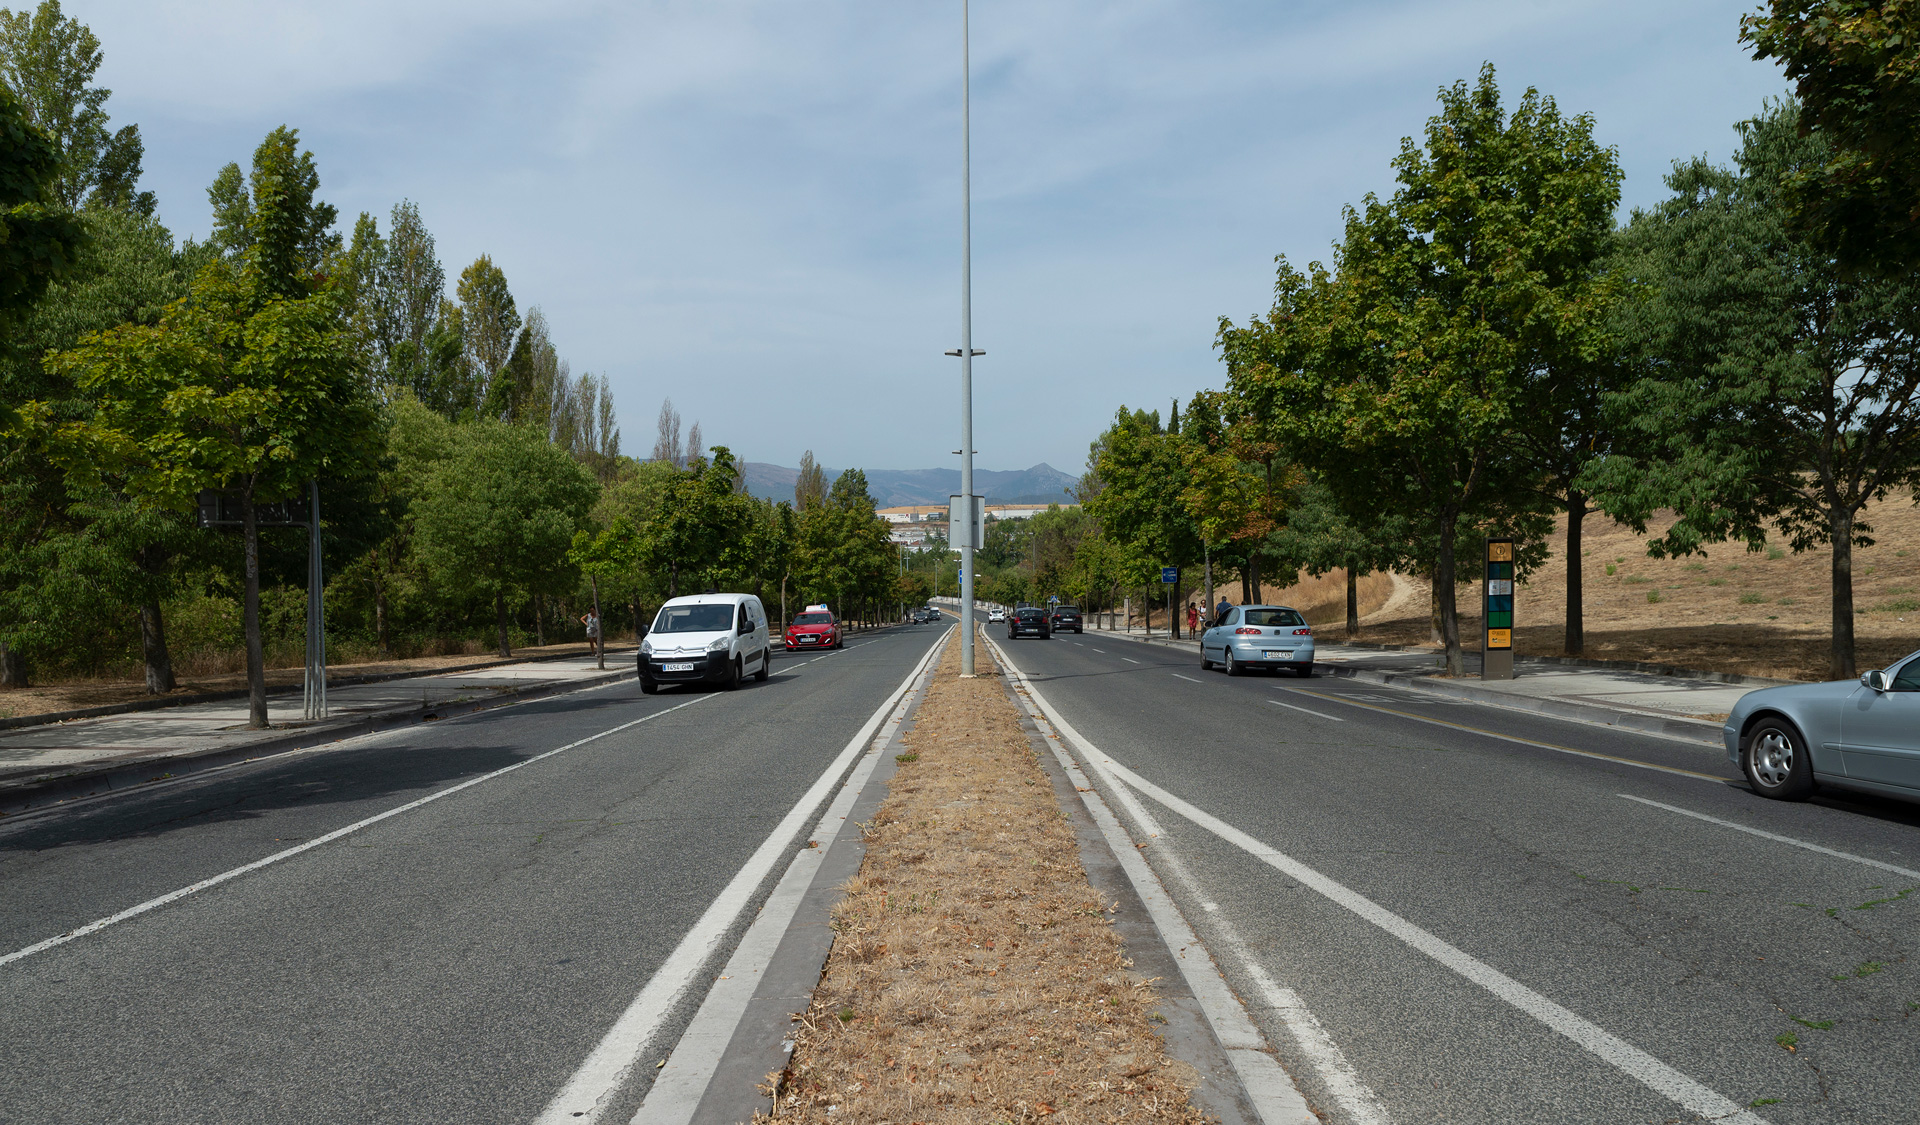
x,y
1270,1088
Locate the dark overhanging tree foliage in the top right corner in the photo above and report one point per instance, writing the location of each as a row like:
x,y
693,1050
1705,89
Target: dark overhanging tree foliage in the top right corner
x,y
1856,68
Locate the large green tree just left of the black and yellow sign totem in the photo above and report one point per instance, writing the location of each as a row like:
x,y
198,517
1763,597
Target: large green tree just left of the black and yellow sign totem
x,y
1403,375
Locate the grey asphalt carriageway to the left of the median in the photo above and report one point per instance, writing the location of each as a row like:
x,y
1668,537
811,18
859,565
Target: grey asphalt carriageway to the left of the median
x,y
454,963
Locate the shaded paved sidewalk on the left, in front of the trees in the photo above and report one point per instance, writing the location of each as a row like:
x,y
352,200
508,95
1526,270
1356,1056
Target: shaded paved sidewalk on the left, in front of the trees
x,y
51,763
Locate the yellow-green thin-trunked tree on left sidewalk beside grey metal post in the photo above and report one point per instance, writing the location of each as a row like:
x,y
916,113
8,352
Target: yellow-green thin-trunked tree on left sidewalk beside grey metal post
x,y
251,383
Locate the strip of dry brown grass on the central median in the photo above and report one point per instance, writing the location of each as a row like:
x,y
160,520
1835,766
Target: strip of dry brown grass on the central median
x,y
976,976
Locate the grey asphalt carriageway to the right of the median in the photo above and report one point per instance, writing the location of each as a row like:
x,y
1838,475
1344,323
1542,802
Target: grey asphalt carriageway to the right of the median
x,y
1704,947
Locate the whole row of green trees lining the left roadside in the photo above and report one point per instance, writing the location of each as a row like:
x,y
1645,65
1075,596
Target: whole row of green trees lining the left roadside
x,y
471,485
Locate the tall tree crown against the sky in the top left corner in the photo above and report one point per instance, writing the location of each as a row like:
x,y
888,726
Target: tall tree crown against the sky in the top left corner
x,y
49,62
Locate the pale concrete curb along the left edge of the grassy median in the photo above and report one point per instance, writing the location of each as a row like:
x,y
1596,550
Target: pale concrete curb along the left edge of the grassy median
x,y
677,1091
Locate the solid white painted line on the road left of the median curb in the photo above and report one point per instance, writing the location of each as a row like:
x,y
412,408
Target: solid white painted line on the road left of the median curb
x,y
608,1068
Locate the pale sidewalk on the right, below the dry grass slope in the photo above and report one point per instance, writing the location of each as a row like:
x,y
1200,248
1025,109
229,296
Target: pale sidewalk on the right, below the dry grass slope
x,y
1687,707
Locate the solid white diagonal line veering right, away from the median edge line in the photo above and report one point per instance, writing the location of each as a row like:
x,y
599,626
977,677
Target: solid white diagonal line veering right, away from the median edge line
x,y
1604,1045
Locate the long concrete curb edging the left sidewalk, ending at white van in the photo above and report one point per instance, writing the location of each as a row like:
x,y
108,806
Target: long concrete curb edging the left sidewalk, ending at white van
x,y
57,788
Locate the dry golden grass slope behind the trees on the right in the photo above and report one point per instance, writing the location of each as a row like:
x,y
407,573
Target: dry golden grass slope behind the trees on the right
x,y
1731,611
